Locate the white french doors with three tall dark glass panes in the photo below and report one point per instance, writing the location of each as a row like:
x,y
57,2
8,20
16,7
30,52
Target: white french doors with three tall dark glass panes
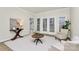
x,y
46,25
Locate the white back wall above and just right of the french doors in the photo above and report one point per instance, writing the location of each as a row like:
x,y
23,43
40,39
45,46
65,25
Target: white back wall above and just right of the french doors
x,y
56,14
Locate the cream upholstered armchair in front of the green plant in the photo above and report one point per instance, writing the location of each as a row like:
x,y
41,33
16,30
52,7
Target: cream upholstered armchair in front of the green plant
x,y
63,35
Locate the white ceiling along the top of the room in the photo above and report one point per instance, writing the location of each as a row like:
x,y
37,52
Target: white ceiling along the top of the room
x,y
40,9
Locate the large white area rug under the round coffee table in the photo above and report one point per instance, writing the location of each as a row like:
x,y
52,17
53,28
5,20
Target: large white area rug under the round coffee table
x,y
26,44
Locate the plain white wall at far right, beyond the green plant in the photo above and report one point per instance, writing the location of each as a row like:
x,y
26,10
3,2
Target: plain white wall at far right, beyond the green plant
x,y
75,22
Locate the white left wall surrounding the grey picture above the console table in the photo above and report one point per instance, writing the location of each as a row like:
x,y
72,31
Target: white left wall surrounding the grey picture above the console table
x,y
10,12
